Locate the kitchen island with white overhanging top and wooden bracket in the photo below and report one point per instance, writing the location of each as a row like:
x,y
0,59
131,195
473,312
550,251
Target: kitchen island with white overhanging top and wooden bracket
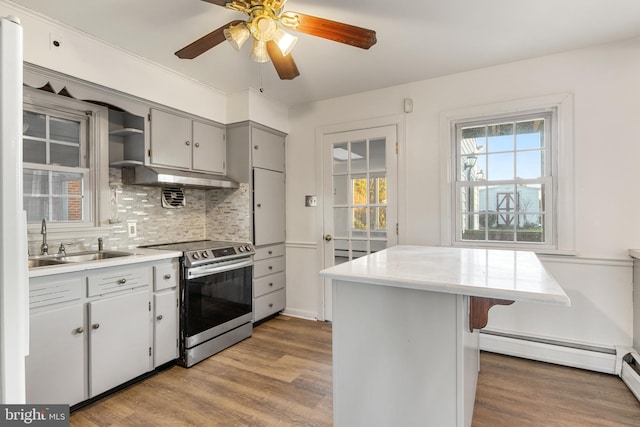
x,y
405,329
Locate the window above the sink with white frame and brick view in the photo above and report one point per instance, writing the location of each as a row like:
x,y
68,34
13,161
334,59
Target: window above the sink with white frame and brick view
x,y
63,142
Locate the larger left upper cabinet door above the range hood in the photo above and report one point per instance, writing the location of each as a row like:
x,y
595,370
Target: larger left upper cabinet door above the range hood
x,y
170,140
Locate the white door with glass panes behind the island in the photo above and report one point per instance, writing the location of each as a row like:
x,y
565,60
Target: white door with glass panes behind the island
x,y
360,196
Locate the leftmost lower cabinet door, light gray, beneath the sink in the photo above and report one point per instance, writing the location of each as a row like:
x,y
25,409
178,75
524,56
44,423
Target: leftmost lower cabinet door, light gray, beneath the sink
x,y
55,367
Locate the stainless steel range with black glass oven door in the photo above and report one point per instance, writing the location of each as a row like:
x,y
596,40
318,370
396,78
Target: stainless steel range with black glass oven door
x,y
215,296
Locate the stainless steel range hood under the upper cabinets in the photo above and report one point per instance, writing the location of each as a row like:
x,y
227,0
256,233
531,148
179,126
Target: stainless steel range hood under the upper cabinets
x,y
151,175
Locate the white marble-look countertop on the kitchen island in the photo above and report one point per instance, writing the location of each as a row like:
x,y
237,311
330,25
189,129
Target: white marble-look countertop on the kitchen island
x,y
503,274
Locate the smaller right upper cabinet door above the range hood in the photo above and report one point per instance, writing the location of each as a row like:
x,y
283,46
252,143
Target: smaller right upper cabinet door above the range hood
x,y
209,148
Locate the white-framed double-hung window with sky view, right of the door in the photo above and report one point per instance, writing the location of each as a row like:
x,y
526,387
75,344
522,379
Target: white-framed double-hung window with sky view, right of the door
x,y
504,187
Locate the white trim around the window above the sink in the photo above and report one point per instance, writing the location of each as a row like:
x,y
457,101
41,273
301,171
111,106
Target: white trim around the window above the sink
x,y
98,143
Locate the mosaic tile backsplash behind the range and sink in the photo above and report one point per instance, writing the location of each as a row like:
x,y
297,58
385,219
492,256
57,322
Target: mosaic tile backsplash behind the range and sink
x,y
216,214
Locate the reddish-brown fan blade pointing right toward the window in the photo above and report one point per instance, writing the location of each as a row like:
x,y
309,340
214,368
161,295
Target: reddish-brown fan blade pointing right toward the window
x,y
332,30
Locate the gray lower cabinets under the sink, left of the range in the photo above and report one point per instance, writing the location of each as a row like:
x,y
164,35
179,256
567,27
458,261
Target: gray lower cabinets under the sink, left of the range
x,y
91,331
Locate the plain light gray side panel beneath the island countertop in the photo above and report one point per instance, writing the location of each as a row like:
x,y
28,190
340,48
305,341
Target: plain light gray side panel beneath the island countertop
x,y
396,358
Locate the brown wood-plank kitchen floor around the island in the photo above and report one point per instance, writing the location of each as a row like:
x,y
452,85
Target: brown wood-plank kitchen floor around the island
x,y
281,376
